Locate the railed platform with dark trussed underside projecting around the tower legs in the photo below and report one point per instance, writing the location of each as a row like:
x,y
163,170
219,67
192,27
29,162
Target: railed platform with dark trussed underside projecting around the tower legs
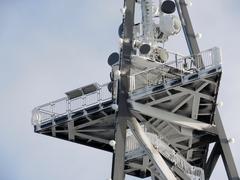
x,y
174,102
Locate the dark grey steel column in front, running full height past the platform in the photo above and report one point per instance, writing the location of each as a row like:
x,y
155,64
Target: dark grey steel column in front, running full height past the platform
x,y
123,89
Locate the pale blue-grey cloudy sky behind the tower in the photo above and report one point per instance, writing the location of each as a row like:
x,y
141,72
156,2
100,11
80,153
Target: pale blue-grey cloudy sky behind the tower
x,y
49,47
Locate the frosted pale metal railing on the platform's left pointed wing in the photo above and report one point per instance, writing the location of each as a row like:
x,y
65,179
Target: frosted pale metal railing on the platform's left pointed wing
x,y
65,106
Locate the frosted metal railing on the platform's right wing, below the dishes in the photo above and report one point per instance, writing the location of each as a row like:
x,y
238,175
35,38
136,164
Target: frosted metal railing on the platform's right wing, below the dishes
x,y
177,67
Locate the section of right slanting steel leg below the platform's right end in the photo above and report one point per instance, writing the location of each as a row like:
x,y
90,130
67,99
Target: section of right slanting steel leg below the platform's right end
x,y
225,149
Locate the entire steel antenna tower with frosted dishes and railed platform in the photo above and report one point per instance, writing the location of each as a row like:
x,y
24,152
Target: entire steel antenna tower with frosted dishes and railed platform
x,y
158,115
